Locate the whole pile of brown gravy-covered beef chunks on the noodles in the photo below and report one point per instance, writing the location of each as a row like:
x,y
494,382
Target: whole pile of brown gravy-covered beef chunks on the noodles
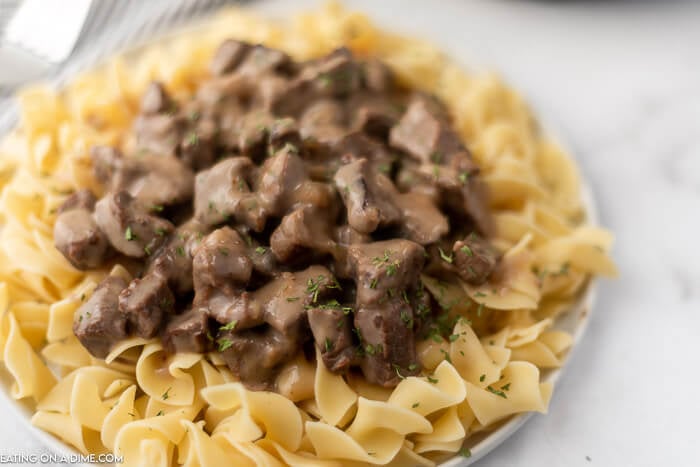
x,y
285,205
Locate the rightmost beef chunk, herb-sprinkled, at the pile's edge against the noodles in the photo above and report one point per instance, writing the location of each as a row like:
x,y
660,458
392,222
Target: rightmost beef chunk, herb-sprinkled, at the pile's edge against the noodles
x,y
475,259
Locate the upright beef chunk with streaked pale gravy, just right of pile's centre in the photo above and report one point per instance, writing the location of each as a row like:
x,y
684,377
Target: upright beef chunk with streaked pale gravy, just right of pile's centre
x,y
366,197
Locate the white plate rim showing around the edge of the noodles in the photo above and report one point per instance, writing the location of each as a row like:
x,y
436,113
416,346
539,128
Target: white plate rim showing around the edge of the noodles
x,y
573,321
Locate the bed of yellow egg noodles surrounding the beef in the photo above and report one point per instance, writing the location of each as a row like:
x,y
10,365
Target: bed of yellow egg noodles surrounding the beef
x,y
154,409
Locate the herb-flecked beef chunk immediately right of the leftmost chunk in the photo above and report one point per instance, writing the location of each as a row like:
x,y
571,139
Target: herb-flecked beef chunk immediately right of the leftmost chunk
x,y
128,225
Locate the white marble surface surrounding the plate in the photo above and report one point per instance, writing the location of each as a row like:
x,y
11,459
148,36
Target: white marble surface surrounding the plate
x,y
622,82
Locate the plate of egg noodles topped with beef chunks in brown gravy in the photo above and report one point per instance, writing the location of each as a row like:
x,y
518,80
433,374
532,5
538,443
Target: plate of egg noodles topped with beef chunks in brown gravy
x,y
309,242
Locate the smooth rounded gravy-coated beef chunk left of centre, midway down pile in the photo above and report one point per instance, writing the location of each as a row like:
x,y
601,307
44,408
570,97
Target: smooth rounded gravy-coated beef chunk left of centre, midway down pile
x,y
221,260
